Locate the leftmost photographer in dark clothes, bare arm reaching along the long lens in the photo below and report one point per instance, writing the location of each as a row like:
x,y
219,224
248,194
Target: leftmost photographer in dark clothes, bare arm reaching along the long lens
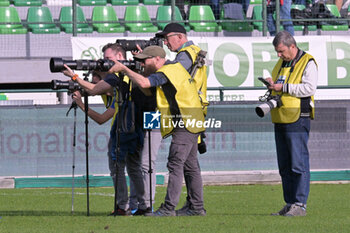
x,y
130,142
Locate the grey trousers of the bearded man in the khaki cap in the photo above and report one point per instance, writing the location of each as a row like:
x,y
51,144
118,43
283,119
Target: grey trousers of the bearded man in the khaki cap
x,y
183,162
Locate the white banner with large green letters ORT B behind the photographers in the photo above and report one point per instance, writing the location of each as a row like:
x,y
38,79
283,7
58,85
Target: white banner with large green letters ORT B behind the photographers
x,y
238,61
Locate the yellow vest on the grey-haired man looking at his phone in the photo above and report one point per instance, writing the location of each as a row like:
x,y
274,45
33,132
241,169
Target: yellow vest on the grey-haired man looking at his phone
x,y
290,110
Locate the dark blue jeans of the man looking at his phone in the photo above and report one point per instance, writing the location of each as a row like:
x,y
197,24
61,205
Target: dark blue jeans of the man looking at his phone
x,y
293,160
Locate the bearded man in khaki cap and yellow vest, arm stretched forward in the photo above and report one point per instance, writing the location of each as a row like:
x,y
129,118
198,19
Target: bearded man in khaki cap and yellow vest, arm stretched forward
x,y
177,100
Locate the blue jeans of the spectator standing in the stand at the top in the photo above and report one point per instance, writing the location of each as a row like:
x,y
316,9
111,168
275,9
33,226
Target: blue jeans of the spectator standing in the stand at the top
x,y
284,14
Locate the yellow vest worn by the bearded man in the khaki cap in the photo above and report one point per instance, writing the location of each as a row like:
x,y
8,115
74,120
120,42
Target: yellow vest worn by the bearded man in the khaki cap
x,y
186,101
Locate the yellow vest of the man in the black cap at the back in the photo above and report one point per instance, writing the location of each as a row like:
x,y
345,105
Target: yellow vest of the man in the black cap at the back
x,y
200,78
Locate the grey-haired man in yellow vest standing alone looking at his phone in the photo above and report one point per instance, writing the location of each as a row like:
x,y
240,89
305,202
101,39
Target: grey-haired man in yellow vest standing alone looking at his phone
x,y
294,78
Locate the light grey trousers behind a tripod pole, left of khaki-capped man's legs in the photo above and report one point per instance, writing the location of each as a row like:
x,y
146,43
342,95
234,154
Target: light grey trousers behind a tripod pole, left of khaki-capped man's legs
x,y
156,140
